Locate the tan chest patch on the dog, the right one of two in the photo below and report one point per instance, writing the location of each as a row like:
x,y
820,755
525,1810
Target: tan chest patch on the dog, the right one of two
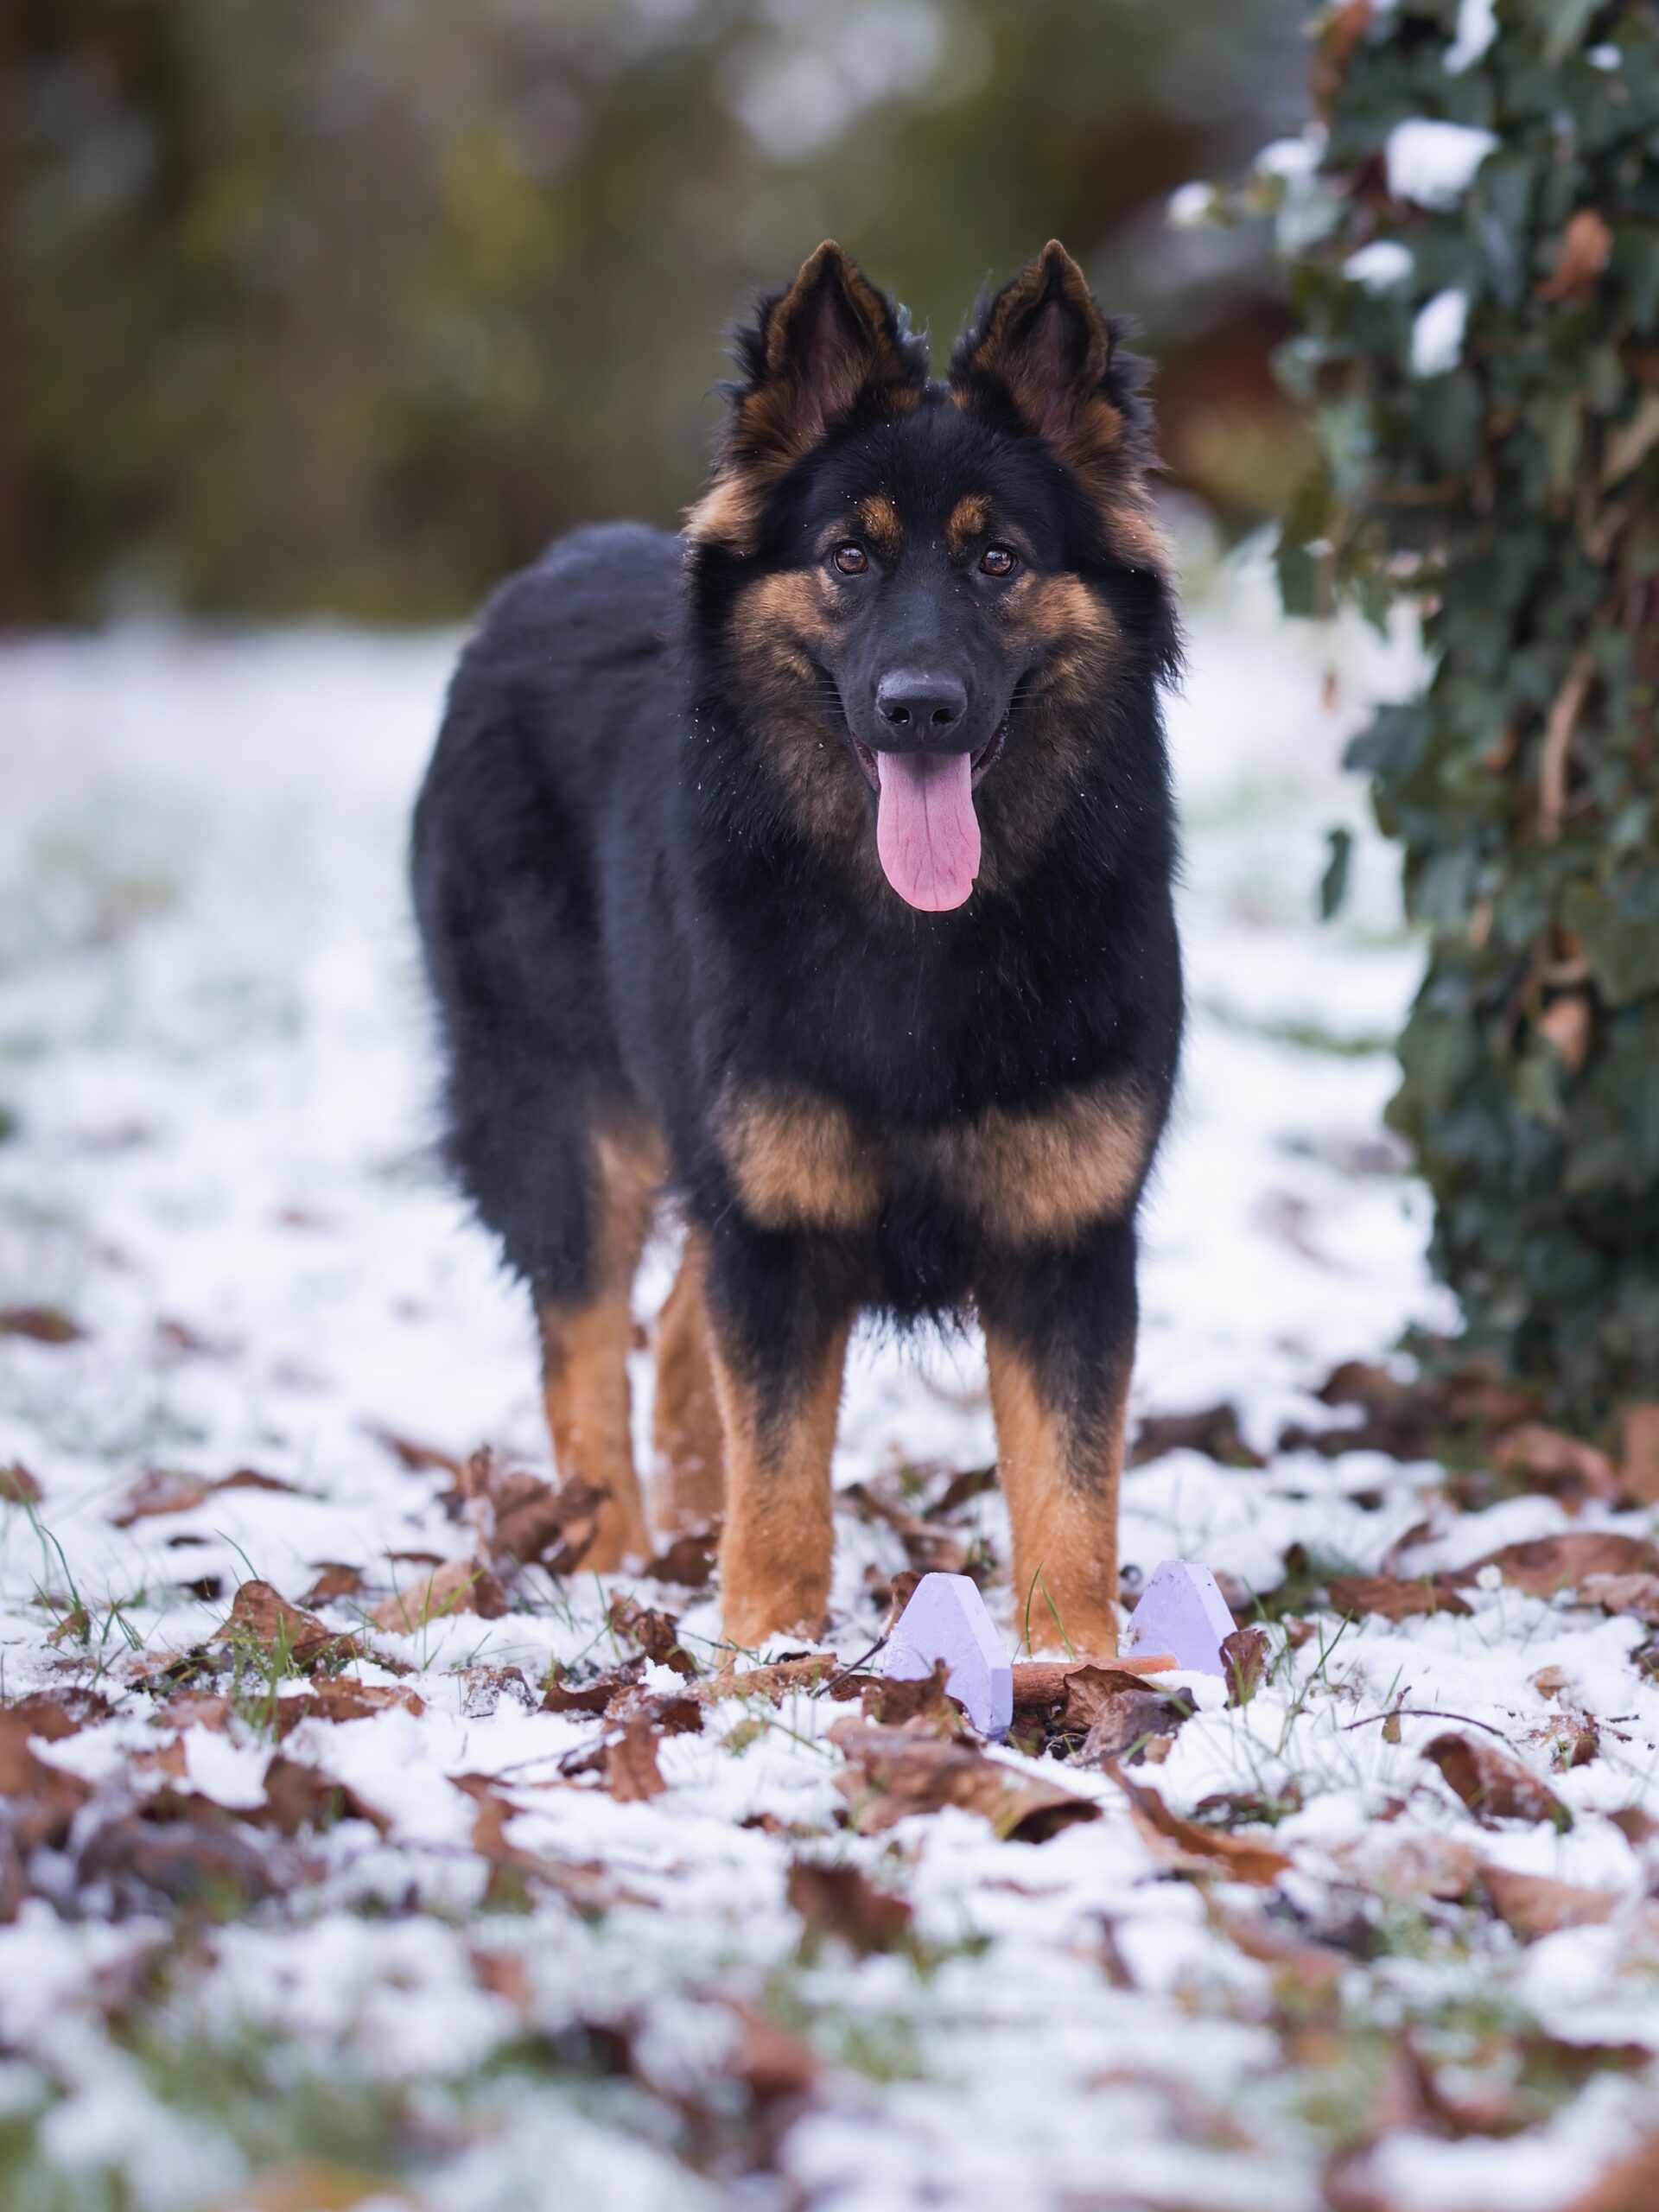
x,y
1041,1178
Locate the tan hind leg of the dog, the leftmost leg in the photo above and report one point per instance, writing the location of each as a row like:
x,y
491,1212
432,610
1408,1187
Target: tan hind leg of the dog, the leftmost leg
x,y
587,1342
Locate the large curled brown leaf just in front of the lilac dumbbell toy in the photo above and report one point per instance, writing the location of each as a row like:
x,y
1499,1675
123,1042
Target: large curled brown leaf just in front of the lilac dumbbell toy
x,y
901,1771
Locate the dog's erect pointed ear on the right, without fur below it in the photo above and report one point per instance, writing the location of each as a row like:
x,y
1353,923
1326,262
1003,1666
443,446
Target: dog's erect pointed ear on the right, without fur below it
x,y
1047,353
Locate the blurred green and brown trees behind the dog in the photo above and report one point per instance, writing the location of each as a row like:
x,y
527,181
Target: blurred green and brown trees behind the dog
x,y
353,304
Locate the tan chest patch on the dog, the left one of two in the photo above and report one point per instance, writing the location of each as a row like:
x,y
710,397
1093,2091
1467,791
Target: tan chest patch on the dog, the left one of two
x,y
800,1162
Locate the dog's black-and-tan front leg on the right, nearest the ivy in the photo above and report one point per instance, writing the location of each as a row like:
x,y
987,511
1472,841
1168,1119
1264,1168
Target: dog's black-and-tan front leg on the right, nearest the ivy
x,y
1061,1344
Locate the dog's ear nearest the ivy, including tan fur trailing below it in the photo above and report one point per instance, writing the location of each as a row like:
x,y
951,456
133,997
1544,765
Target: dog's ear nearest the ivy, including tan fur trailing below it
x,y
1047,357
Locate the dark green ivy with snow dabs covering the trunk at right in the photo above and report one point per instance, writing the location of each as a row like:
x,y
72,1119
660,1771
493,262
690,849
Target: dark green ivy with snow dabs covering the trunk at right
x,y
1472,238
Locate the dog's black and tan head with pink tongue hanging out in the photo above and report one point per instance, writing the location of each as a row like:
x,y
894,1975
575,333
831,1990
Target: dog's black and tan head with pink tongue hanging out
x,y
928,603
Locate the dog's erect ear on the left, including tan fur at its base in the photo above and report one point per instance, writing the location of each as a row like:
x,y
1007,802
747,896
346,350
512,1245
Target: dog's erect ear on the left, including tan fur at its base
x,y
811,357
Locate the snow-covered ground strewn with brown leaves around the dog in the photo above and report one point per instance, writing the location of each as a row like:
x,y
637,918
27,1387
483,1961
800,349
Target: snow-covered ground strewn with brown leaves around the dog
x,y
227,1983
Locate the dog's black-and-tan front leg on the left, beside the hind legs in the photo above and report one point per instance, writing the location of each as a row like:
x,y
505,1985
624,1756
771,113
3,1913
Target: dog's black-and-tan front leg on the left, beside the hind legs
x,y
780,1346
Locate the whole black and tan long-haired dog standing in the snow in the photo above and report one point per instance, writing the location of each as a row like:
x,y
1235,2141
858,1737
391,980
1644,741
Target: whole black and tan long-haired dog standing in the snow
x,y
815,870
